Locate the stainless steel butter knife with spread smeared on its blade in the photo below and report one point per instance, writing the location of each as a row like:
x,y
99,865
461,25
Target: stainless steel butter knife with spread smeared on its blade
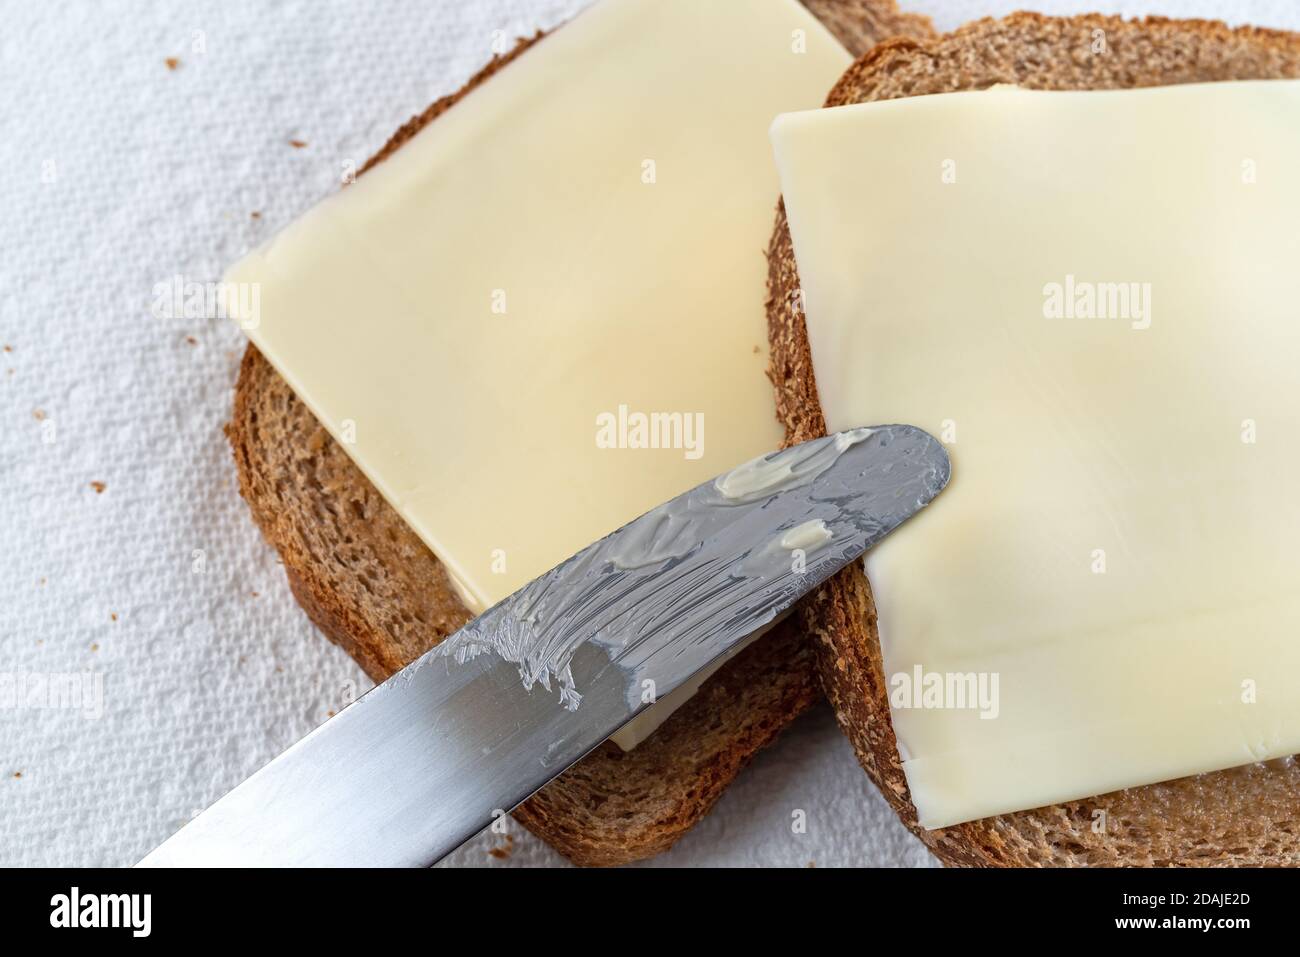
x,y
475,726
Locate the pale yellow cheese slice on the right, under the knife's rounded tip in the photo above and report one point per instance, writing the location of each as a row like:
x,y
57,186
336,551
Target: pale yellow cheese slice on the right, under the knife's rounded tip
x,y
1108,595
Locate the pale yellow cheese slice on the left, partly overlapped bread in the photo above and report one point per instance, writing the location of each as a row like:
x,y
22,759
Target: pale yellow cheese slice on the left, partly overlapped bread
x,y
484,318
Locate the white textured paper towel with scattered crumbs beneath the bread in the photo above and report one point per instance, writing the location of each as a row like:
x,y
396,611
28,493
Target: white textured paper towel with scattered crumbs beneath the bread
x,y
128,562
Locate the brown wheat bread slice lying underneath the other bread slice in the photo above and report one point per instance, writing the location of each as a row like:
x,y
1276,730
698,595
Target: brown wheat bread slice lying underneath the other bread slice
x,y
369,582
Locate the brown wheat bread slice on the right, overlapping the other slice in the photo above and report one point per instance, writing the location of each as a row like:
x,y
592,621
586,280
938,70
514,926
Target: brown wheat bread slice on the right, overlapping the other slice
x,y
1249,816
